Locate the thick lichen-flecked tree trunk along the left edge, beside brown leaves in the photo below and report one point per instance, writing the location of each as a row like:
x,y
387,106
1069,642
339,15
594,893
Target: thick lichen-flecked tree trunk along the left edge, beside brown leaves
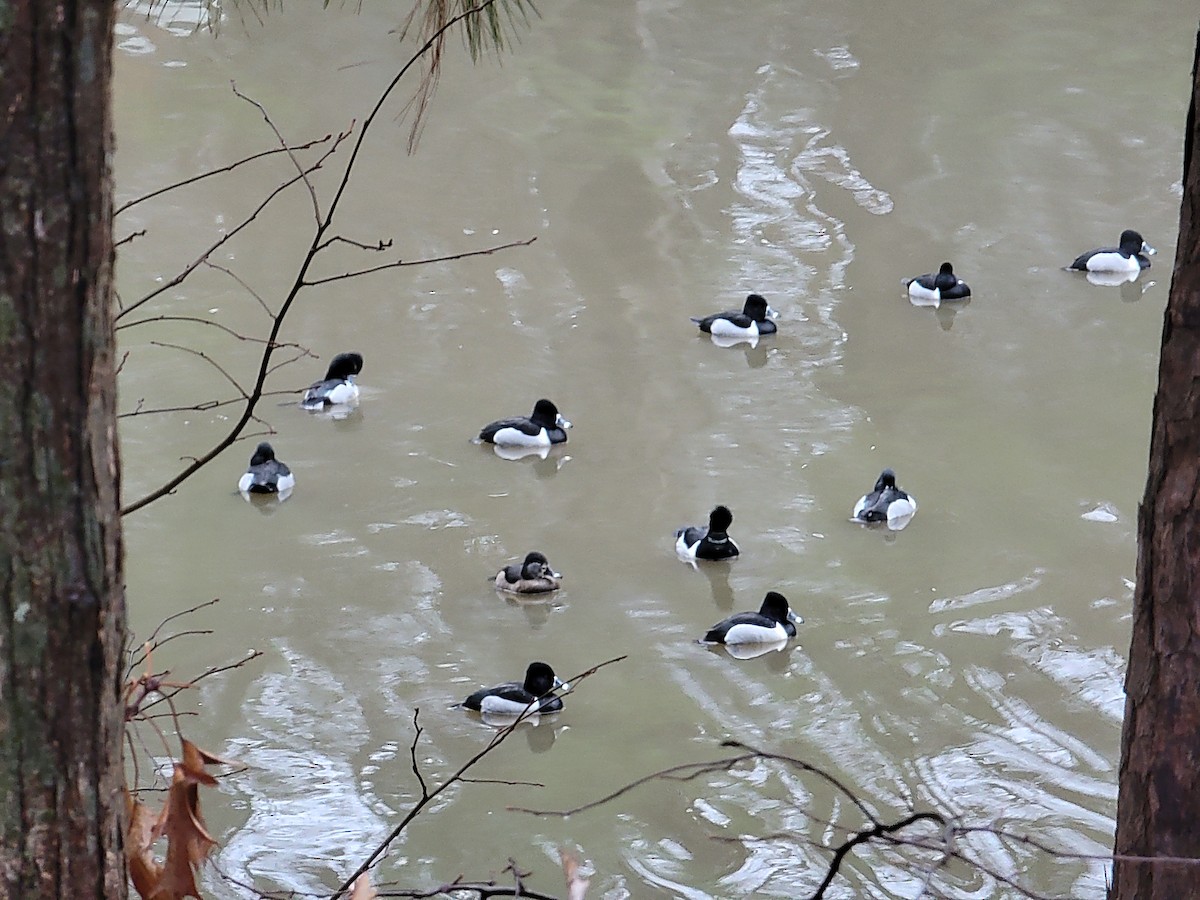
x,y
62,598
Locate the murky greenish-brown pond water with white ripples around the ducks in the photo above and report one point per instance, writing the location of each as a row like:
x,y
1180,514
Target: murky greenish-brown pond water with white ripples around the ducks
x,y
669,159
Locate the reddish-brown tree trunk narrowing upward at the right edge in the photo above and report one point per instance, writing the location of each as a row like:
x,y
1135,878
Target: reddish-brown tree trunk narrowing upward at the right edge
x,y
1159,807
